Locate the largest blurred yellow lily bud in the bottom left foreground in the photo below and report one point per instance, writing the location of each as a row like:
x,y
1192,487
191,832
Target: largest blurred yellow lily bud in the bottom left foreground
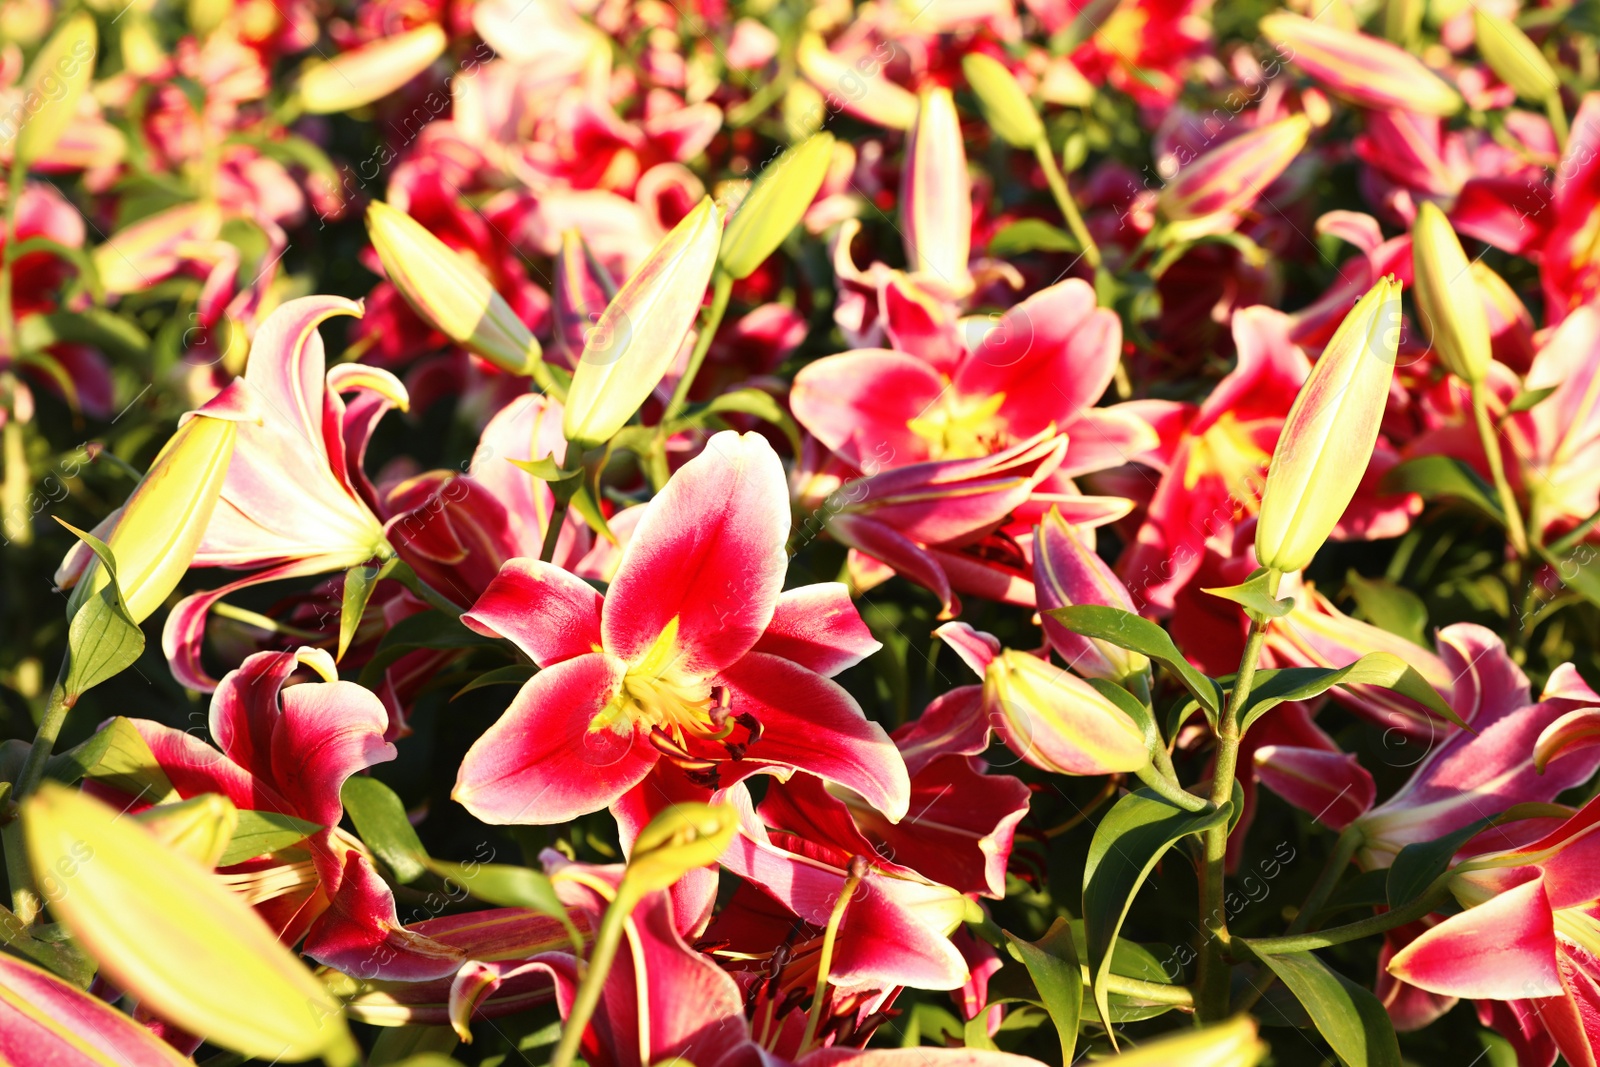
x,y
174,937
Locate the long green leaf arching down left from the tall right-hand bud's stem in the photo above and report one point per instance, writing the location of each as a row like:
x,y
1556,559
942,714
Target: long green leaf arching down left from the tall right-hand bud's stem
x,y
1134,836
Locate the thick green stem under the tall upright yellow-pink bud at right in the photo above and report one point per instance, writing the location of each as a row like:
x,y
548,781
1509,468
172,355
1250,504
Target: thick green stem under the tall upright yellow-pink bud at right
x,y
1212,983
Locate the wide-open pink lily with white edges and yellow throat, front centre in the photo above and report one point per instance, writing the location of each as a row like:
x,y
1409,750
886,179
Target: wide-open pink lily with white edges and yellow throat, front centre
x,y
673,663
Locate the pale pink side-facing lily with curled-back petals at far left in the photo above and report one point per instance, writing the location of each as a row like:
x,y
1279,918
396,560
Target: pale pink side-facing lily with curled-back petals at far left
x,y
295,502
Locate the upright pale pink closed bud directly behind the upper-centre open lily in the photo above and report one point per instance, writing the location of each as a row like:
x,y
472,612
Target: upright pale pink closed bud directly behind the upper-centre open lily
x,y
937,196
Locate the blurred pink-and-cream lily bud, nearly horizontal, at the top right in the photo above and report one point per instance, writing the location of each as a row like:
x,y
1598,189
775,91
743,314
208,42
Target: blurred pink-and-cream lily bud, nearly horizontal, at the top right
x,y
1359,68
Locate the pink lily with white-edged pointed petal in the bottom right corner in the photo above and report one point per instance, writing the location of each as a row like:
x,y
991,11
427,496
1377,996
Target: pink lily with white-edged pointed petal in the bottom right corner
x,y
1526,943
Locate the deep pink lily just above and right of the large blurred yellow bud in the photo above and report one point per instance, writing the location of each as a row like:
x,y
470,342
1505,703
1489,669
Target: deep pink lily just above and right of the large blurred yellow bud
x,y
289,749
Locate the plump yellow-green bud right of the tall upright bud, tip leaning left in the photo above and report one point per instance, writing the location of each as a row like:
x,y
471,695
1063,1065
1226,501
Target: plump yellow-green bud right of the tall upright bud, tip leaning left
x,y
1449,297
